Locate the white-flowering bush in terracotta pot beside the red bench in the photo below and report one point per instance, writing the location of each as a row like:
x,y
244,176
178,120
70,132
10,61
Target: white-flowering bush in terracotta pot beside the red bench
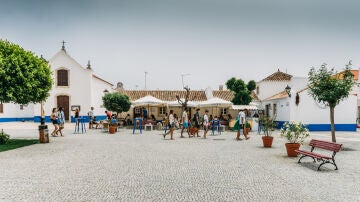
x,y
295,134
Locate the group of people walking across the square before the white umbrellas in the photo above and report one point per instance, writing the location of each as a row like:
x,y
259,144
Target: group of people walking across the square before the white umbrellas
x,y
192,127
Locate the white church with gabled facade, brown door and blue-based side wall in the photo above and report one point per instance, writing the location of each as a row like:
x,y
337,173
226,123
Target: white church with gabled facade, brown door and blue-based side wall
x,y
74,87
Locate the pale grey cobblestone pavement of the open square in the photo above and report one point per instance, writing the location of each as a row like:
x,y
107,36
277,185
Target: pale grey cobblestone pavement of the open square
x,y
97,166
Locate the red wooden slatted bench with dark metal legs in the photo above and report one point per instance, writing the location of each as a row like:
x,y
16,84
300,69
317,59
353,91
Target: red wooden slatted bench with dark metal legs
x,y
330,146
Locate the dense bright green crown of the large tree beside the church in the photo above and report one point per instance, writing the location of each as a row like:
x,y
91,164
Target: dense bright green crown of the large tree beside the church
x,y
24,77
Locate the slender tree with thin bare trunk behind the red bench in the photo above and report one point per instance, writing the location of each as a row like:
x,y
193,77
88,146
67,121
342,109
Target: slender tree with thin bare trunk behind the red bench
x,y
328,87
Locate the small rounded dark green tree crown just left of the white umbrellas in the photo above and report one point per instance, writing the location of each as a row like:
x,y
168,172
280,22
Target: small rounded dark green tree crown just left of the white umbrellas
x,y
116,102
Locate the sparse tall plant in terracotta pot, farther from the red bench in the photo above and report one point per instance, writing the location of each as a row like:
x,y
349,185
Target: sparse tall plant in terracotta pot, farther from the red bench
x,y
267,125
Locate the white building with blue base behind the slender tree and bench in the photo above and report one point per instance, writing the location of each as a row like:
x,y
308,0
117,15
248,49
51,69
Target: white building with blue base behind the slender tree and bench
x,y
300,106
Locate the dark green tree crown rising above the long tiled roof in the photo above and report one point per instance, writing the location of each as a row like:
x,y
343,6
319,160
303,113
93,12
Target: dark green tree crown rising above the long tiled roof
x,y
242,92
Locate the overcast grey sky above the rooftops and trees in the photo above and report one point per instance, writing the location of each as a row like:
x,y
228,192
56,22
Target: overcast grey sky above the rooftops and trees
x,y
212,40
